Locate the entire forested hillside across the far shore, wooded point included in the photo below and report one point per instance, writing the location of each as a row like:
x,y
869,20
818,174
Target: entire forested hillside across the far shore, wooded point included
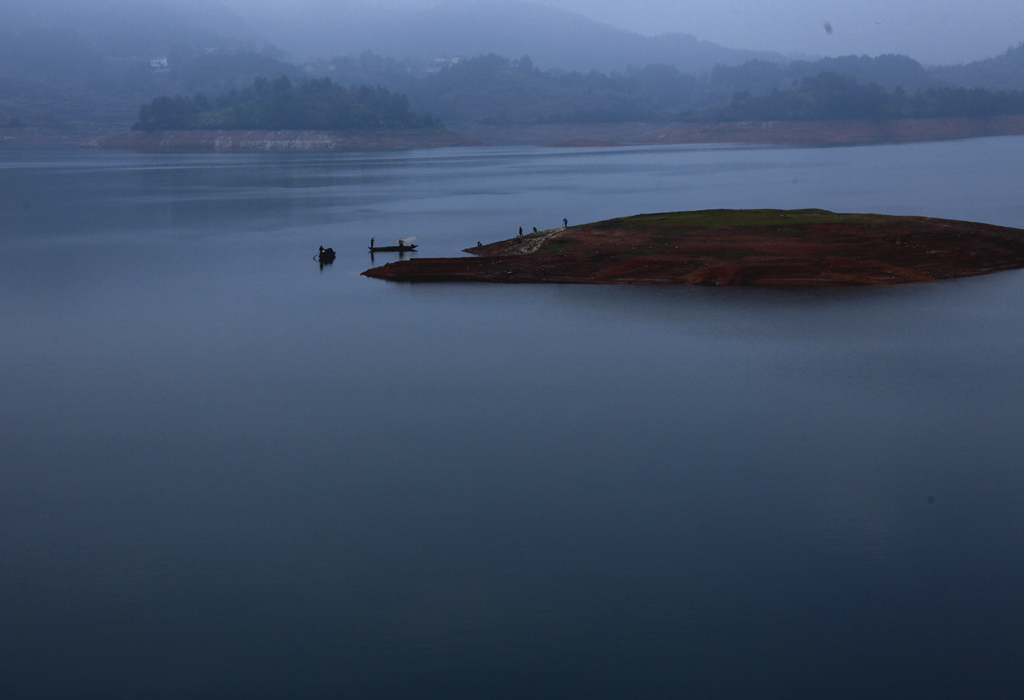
x,y
92,71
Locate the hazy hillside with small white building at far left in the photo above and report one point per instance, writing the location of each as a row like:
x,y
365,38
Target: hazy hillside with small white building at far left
x,y
90,64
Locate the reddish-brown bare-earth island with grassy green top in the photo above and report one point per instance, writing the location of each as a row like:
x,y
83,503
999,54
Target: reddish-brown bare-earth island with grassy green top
x,y
765,248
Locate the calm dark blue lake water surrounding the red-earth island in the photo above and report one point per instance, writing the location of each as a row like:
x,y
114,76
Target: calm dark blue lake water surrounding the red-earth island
x,y
228,473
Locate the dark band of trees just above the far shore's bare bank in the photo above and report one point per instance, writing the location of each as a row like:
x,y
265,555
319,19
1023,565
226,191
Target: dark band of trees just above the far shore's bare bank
x,y
496,91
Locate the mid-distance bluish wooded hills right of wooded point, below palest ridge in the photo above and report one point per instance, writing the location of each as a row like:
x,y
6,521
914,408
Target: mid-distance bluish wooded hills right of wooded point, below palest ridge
x,y
498,92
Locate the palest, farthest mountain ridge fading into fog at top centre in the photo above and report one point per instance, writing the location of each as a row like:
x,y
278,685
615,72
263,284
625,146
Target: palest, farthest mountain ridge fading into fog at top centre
x,y
550,37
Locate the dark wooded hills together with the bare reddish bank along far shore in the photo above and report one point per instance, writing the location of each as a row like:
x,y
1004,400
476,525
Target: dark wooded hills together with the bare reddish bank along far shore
x,y
495,100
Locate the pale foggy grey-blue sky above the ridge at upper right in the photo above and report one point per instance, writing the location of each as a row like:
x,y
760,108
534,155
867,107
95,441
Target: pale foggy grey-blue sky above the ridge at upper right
x,y
931,31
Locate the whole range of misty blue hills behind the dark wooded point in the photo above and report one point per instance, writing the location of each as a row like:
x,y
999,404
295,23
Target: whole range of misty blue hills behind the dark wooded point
x,y
89,65
